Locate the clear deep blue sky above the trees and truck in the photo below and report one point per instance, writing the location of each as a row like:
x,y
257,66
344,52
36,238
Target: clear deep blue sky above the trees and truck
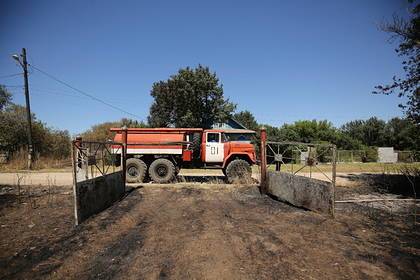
x,y
282,60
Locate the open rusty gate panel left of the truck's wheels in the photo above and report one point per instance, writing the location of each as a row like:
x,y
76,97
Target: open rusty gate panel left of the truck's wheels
x,y
98,176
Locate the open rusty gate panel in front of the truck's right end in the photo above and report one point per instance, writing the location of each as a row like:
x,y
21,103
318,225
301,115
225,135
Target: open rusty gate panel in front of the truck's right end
x,y
303,174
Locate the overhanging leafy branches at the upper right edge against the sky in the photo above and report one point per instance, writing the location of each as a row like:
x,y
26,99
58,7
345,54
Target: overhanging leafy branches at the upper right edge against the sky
x,y
407,32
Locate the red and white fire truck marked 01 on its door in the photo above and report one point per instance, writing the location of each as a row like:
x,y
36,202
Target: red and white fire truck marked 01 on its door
x,y
162,152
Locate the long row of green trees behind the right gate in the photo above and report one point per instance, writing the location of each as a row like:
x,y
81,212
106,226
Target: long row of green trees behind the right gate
x,y
400,133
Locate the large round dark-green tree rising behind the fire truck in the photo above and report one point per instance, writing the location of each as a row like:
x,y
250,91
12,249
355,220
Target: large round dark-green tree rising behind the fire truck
x,y
191,98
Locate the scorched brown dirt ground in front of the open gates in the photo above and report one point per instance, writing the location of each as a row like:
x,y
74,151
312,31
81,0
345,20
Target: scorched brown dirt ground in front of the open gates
x,y
198,232
